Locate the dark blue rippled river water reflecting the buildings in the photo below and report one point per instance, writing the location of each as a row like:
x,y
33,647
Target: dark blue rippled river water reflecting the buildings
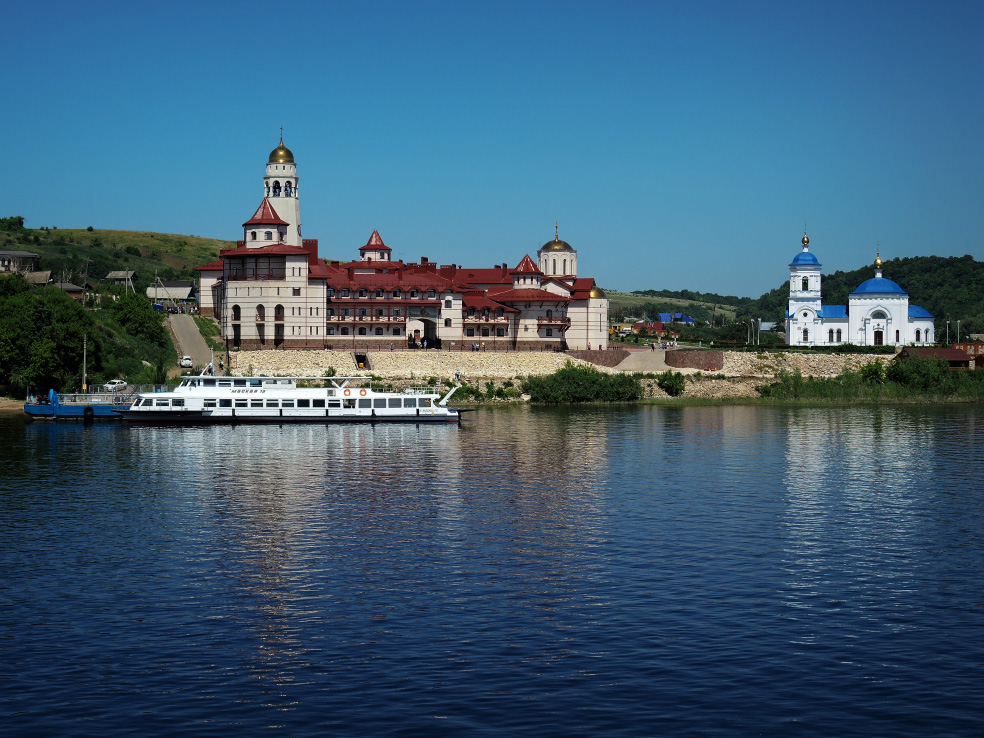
x,y
729,571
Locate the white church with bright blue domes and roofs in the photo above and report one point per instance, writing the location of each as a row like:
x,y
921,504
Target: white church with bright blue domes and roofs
x,y
878,312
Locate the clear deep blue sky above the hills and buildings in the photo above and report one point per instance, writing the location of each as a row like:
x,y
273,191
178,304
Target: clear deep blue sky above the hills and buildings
x,y
679,145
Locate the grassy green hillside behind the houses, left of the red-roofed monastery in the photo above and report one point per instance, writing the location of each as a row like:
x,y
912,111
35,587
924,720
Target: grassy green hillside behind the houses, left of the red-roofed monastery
x,y
80,255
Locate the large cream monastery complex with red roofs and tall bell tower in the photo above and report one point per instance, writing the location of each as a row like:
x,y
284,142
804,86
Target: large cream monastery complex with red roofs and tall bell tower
x,y
274,291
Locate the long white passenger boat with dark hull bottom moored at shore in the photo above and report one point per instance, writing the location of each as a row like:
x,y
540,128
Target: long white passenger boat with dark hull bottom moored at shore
x,y
205,399
